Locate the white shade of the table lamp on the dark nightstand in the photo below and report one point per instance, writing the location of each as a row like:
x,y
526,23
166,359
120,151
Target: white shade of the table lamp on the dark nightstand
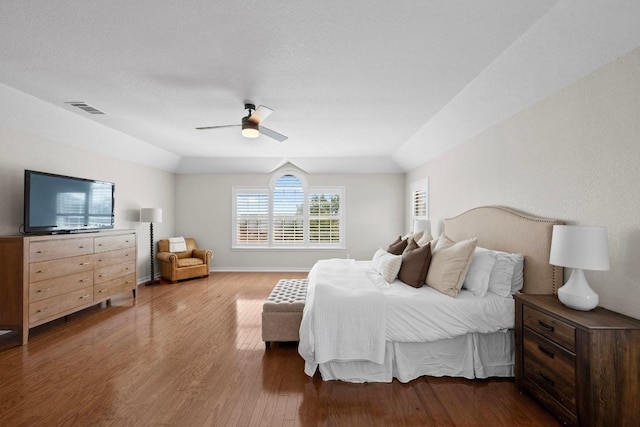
x,y
581,247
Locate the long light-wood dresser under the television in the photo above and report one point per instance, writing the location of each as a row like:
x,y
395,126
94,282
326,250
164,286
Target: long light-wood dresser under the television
x,y
48,277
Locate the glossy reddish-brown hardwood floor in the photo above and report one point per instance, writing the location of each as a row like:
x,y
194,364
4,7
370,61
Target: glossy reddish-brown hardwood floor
x,y
191,354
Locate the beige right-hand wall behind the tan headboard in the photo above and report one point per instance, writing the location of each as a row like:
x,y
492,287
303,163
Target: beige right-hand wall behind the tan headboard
x,y
574,156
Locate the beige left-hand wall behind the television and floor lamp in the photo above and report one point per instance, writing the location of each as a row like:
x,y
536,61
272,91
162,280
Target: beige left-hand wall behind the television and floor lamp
x,y
136,186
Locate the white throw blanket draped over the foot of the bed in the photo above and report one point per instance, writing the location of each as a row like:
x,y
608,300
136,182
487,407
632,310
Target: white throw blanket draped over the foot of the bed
x,y
344,316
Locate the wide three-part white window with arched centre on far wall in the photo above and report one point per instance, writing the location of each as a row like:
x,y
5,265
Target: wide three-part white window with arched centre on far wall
x,y
288,215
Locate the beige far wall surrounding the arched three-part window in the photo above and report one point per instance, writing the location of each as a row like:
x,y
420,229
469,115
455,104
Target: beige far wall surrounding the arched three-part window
x,y
374,215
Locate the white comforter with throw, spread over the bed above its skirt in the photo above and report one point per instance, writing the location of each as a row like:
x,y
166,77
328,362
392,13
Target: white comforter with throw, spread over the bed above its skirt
x,y
351,312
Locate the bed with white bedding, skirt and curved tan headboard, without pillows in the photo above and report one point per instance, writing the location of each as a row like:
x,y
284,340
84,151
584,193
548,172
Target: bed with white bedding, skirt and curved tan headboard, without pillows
x,y
358,328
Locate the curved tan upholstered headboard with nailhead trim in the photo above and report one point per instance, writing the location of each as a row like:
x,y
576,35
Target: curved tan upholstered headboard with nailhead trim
x,y
504,229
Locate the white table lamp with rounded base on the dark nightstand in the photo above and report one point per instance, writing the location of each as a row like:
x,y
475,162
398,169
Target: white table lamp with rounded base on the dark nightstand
x,y
580,248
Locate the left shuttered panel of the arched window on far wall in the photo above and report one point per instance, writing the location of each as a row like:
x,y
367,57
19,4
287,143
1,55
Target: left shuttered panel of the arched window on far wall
x,y
252,217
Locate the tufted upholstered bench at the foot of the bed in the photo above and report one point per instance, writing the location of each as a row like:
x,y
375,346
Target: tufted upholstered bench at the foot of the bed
x,y
282,311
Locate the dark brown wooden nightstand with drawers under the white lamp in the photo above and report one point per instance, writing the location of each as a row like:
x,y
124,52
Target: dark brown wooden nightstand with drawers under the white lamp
x,y
584,367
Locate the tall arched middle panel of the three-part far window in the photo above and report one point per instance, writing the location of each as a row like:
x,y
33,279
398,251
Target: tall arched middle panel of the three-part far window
x,y
288,211
